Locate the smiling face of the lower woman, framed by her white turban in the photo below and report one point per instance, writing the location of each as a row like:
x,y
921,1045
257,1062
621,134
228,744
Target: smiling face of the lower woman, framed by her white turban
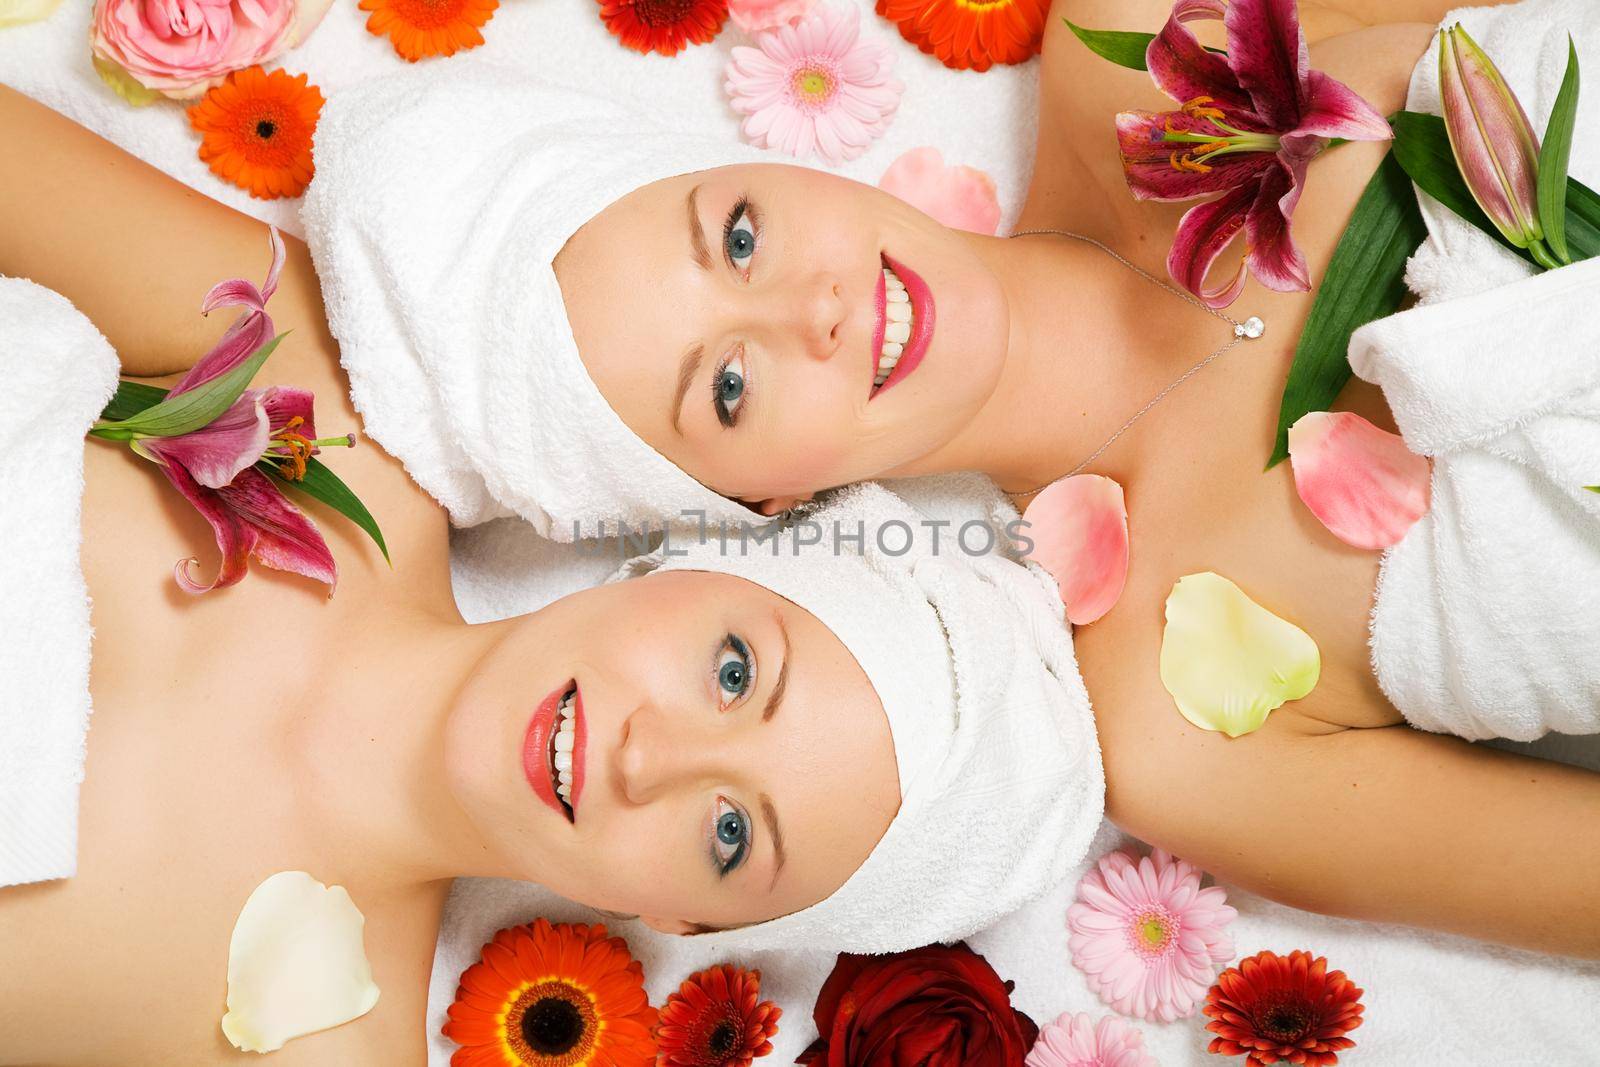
x,y
726,759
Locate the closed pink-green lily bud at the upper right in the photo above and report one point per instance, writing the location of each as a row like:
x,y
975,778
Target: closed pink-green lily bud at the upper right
x,y
1494,142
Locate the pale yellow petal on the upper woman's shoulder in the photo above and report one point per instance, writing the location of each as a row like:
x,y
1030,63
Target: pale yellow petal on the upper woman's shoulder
x,y
1228,661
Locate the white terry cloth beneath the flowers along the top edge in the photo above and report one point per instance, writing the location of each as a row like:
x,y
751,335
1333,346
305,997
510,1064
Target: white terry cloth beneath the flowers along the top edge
x,y
986,121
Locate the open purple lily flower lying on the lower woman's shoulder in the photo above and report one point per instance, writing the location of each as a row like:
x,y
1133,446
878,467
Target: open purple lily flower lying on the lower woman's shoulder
x,y
215,468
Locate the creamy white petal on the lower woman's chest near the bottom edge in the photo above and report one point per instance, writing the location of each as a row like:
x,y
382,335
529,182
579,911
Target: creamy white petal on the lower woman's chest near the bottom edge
x,y
297,964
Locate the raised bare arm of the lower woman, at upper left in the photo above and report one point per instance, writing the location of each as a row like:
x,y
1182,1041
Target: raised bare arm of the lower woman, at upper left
x,y
130,247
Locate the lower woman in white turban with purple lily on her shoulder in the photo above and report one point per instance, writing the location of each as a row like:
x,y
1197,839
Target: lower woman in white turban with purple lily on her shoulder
x,y
774,748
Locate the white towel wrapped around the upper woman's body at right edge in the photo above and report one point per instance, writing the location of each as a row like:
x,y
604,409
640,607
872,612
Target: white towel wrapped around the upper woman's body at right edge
x,y
1487,617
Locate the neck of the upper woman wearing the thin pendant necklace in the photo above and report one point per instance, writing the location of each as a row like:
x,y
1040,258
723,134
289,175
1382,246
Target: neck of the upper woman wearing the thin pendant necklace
x,y
1087,350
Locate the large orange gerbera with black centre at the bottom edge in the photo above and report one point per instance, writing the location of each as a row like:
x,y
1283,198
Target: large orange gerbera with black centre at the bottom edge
x,y
546,996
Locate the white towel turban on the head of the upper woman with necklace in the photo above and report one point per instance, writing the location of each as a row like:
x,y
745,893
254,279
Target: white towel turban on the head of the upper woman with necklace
x,y
441,201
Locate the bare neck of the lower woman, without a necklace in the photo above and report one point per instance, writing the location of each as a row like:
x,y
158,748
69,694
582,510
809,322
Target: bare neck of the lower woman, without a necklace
x,y
367,762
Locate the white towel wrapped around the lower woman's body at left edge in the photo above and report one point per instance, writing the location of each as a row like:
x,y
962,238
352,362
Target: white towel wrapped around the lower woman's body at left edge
x,y
57,374
